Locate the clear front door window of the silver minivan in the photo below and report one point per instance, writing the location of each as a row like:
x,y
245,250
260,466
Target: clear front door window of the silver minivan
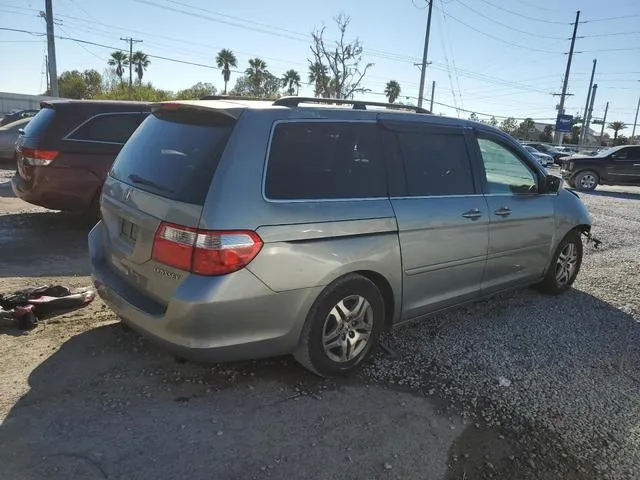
x,y
506,173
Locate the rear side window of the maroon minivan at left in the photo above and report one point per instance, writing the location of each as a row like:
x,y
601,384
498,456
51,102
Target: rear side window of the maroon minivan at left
x,y
112,128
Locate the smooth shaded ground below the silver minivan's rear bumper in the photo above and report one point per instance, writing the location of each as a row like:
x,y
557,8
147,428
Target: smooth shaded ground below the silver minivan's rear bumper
x,y
108,404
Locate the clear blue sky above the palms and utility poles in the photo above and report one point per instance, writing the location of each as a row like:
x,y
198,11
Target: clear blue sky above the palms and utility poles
x,y
502,57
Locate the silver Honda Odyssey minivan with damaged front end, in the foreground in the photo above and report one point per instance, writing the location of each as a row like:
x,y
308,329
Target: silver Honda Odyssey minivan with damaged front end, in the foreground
x,y
239,229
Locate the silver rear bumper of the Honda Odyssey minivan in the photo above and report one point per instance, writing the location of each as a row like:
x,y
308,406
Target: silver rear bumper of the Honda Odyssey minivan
x,y
231,317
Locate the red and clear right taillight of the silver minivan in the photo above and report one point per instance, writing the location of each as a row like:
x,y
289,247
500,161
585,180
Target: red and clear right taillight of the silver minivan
x,y
205,252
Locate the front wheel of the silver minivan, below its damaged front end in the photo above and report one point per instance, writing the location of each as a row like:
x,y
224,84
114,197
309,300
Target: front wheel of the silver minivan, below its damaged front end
x,y
564,266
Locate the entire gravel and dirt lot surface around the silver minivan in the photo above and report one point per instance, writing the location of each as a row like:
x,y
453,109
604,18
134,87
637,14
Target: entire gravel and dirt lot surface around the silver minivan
x,y
519,386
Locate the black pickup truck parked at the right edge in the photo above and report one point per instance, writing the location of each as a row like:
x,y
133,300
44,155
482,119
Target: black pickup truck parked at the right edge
x,y
613,166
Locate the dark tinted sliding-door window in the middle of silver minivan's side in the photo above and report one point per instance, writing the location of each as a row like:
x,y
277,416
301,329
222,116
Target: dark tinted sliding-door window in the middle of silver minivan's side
x,y
436,163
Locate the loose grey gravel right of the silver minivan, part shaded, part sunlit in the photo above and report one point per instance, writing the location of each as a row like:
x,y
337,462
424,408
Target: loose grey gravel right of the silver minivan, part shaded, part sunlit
x,y
566,365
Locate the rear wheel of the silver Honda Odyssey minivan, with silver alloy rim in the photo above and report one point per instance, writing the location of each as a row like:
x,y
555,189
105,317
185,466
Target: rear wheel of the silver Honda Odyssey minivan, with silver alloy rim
x,y
342,327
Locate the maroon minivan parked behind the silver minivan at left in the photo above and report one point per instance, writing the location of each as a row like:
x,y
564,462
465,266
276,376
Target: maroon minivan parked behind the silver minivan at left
x,y
68,148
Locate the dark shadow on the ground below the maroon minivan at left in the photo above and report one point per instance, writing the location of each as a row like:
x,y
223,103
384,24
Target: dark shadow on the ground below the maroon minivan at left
x,y
44,244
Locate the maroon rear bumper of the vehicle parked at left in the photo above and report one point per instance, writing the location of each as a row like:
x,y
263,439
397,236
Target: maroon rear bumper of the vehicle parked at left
x,y
57,188
